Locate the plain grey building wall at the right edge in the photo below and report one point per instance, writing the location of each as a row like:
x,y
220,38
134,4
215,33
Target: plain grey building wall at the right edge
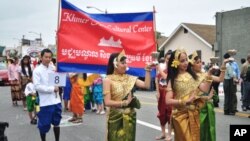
x,y
233,32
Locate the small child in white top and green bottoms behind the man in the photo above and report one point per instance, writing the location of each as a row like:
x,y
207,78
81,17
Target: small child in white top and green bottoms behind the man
x,y
30,94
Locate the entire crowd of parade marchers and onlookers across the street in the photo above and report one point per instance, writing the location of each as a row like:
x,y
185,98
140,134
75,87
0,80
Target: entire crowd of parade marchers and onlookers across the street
x,y
186,94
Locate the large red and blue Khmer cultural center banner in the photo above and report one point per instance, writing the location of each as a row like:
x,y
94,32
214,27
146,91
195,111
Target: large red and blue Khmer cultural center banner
x,y
85,41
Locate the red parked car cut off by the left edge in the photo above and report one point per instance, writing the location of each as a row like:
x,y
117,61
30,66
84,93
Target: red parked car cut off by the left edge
x,y
4,80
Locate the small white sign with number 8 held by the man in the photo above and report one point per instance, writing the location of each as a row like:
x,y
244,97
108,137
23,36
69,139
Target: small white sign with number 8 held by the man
x,y
57,79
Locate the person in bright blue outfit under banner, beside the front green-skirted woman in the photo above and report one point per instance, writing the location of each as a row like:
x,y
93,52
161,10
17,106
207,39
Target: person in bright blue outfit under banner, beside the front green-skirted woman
x,y
98,95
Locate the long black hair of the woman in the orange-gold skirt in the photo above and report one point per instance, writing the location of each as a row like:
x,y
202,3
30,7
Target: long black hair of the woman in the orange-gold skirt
x,y
173,72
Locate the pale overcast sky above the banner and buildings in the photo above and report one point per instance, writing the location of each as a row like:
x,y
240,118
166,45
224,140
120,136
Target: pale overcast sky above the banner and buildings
x,y
19,17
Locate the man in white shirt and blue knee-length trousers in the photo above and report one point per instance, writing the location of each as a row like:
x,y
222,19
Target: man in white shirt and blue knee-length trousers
x,y
50,103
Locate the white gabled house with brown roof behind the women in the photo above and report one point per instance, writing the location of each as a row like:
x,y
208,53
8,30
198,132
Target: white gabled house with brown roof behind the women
x,y
192,37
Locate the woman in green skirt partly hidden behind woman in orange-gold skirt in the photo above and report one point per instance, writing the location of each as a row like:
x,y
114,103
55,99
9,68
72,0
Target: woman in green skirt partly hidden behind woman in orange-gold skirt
x,y
207,114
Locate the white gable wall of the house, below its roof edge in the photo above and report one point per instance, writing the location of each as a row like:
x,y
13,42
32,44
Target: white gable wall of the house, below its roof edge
x,y
190,43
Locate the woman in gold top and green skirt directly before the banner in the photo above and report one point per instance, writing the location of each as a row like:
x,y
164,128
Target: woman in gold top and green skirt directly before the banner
x,y
117,87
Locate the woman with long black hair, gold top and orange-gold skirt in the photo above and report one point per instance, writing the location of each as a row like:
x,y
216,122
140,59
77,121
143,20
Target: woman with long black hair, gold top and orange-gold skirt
x,y
183,93
